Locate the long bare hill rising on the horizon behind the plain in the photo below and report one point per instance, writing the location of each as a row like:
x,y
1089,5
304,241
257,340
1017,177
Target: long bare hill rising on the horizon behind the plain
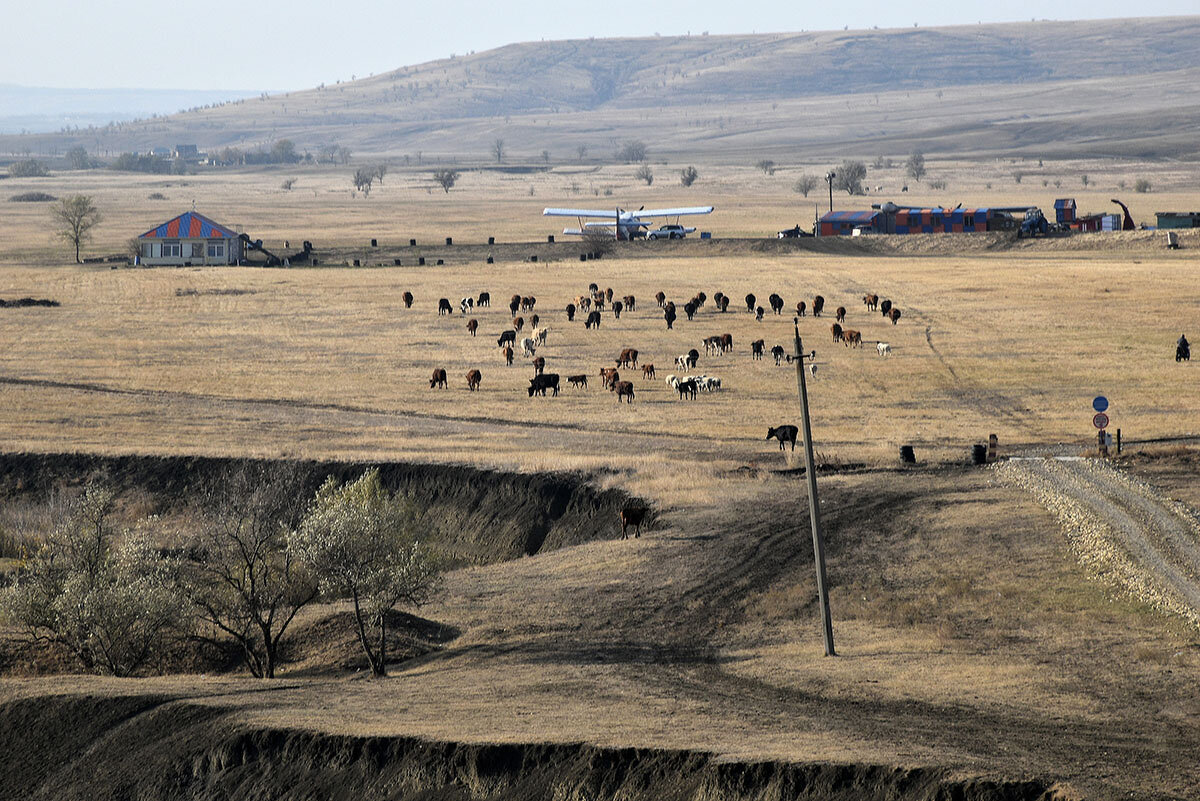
x,y
1121,88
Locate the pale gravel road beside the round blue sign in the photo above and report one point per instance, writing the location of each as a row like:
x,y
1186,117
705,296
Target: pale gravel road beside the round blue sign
x,y
1121,528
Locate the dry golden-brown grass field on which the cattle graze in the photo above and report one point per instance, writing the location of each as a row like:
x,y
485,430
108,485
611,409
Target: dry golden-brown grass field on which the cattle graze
x,y
969,636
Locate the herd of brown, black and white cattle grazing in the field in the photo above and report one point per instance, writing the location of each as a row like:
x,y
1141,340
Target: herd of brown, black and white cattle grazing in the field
x,y
688,387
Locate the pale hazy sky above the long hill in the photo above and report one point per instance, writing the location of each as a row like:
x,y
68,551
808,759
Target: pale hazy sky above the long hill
x,y
299,44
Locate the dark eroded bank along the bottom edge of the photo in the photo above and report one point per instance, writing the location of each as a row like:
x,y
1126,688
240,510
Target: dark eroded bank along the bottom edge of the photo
x,y
151,748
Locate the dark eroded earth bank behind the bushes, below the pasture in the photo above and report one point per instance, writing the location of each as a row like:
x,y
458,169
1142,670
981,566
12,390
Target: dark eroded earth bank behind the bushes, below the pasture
x,y
477,516
